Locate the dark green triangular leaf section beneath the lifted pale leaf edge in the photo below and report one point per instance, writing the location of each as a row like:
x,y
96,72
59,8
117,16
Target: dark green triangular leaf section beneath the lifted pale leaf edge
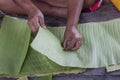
x,y
36,64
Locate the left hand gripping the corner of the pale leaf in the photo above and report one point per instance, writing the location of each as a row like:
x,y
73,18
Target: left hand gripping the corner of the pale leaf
x,y
36,20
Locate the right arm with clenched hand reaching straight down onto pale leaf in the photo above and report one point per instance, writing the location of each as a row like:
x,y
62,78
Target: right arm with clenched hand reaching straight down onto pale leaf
x,y
71,33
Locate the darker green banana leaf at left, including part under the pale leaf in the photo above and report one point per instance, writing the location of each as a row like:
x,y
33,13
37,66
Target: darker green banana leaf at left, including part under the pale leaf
x,y
18,59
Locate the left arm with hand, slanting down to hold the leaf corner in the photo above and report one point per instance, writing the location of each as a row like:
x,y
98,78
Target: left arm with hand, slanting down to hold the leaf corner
x,y
35,16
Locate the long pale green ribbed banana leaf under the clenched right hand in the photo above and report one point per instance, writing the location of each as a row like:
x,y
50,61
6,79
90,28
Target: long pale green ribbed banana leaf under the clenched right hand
x,y
101,45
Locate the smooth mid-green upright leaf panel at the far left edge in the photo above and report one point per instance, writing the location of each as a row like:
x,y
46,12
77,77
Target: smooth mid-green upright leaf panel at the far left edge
x,y
14,42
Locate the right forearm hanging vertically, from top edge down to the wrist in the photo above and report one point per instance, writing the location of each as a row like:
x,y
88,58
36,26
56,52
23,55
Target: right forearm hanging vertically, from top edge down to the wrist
x,y
74,11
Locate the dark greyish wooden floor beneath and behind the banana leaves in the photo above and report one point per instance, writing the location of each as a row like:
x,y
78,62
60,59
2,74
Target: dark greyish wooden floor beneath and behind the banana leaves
x,y
106,12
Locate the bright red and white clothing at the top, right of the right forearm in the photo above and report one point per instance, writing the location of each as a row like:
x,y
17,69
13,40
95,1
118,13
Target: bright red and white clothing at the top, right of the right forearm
x,y
95,6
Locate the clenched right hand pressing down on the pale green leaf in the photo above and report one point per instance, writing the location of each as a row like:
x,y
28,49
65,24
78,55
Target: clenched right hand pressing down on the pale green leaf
x,y
72,39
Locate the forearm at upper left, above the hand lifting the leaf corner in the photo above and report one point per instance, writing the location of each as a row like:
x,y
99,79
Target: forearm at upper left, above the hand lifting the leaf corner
x,y
27,5
